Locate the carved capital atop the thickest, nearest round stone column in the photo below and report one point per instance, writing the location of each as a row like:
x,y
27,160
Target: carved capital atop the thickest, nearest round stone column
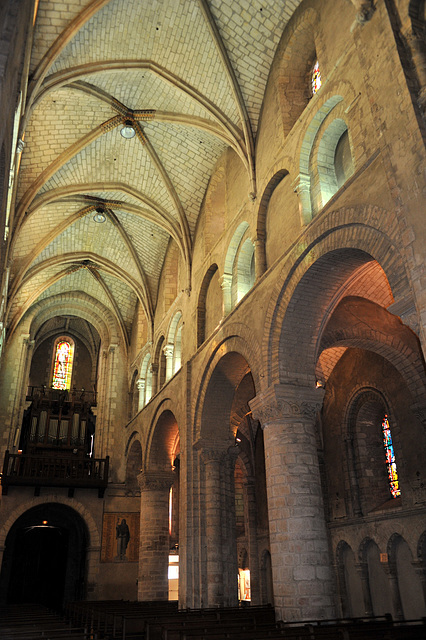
x,y
285,402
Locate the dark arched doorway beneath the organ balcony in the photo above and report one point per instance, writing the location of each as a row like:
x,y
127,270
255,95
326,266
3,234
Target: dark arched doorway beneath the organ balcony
x,y
44,558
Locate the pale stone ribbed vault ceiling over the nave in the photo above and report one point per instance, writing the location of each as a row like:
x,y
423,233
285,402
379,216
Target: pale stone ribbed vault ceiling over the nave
x,y
190,76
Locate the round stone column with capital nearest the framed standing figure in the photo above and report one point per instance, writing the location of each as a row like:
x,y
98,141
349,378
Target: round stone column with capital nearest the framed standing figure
x,y
154,535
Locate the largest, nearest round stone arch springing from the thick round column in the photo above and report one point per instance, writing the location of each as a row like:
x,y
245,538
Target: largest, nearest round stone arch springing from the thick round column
x,y
321,270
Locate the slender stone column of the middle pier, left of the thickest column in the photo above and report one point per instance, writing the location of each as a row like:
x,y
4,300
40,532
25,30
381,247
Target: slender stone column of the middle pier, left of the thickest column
x,y
219,530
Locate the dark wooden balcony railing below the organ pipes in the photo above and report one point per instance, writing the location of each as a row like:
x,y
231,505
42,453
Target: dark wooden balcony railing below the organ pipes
x,y
52,471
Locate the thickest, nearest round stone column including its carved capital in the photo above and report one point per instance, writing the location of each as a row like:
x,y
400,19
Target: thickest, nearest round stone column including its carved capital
x,y
302,573
